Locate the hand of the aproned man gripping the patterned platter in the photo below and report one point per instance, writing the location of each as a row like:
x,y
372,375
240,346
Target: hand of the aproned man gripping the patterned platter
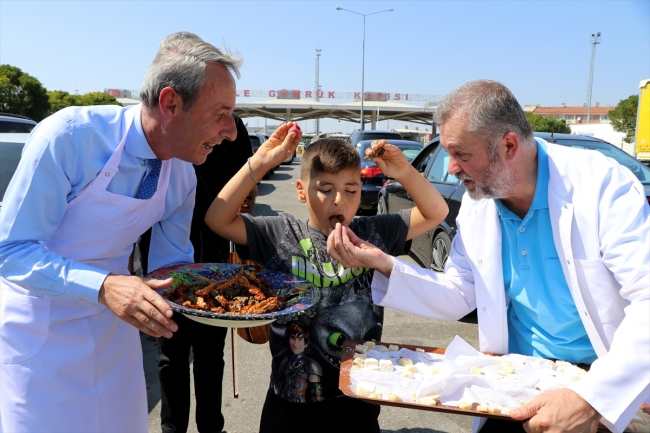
x,y
133,300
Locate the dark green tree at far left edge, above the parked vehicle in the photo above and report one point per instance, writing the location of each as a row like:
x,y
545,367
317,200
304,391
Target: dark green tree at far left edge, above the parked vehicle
x,y
20,93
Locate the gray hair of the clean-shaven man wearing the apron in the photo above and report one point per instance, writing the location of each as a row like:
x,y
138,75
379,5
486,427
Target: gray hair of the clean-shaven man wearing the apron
x,y
181,64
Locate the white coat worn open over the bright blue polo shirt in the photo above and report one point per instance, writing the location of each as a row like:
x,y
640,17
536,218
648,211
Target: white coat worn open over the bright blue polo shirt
x,y
601,230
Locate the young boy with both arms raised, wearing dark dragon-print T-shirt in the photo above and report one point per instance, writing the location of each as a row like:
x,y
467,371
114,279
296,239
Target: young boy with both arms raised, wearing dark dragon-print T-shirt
x,y
304,395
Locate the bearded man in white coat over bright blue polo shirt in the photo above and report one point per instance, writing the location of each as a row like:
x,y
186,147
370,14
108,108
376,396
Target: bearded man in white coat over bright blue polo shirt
x,y
552,251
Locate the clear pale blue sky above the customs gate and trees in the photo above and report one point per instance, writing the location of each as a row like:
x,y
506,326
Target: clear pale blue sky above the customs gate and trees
x,y
539,49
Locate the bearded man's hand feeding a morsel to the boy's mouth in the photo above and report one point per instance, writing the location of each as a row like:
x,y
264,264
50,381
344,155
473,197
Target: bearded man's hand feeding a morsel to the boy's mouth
x,y
346,248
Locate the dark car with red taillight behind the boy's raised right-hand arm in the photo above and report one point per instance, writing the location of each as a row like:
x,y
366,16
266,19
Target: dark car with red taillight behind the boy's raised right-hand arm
x,y
372,178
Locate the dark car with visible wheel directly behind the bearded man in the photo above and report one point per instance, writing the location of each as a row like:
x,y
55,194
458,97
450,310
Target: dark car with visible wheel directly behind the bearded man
x,y
432,248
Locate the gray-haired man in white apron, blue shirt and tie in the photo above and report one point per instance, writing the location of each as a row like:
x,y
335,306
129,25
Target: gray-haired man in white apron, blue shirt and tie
x,y
91,180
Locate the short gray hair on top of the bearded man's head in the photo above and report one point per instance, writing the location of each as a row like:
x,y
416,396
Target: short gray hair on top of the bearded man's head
x,y
491,108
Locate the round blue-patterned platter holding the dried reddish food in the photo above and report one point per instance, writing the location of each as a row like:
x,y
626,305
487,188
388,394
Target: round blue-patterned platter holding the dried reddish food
x,y
296,294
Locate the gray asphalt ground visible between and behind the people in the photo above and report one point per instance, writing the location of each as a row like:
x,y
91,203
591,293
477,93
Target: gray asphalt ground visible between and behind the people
x,y
253,365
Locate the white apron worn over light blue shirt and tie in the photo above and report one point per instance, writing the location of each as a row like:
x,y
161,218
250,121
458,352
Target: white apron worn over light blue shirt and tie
x,y
73,366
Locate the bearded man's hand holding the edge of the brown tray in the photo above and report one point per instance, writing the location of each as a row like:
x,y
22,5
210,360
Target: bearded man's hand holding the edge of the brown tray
x,y
561,410
